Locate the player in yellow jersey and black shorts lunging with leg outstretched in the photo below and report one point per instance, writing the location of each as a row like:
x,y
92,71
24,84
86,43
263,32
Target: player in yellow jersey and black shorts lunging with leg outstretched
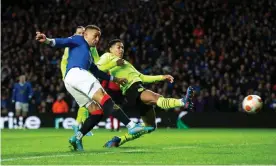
x,y
136,95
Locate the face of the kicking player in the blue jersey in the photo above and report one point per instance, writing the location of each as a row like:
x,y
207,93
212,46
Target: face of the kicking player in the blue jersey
x,y
92,36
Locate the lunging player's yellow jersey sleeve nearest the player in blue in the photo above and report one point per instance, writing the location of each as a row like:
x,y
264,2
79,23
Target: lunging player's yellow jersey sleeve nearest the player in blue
x,y
106,62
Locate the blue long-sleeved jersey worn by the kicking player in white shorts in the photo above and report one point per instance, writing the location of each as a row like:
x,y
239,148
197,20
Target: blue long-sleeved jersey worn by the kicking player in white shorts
x,y
79,55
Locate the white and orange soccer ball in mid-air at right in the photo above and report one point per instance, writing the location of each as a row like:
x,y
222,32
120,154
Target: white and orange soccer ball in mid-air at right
x,y
252,104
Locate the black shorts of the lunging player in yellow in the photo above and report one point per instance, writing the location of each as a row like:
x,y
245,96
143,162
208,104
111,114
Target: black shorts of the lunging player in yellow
x,y
133,100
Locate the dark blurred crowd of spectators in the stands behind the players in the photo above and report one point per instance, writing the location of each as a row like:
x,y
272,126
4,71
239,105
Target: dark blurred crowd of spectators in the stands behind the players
x,y
224,49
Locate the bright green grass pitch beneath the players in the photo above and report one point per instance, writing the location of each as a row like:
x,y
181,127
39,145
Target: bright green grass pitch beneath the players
x,y
162,147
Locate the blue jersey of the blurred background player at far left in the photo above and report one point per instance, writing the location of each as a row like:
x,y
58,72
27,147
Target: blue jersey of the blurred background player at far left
x,y
22,92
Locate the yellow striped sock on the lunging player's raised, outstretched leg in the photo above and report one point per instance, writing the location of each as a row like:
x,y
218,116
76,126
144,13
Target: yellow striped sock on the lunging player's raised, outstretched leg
x,y
166,103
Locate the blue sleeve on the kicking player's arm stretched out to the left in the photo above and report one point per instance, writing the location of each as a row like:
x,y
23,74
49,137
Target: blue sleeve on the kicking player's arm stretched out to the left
x,y
72,41
